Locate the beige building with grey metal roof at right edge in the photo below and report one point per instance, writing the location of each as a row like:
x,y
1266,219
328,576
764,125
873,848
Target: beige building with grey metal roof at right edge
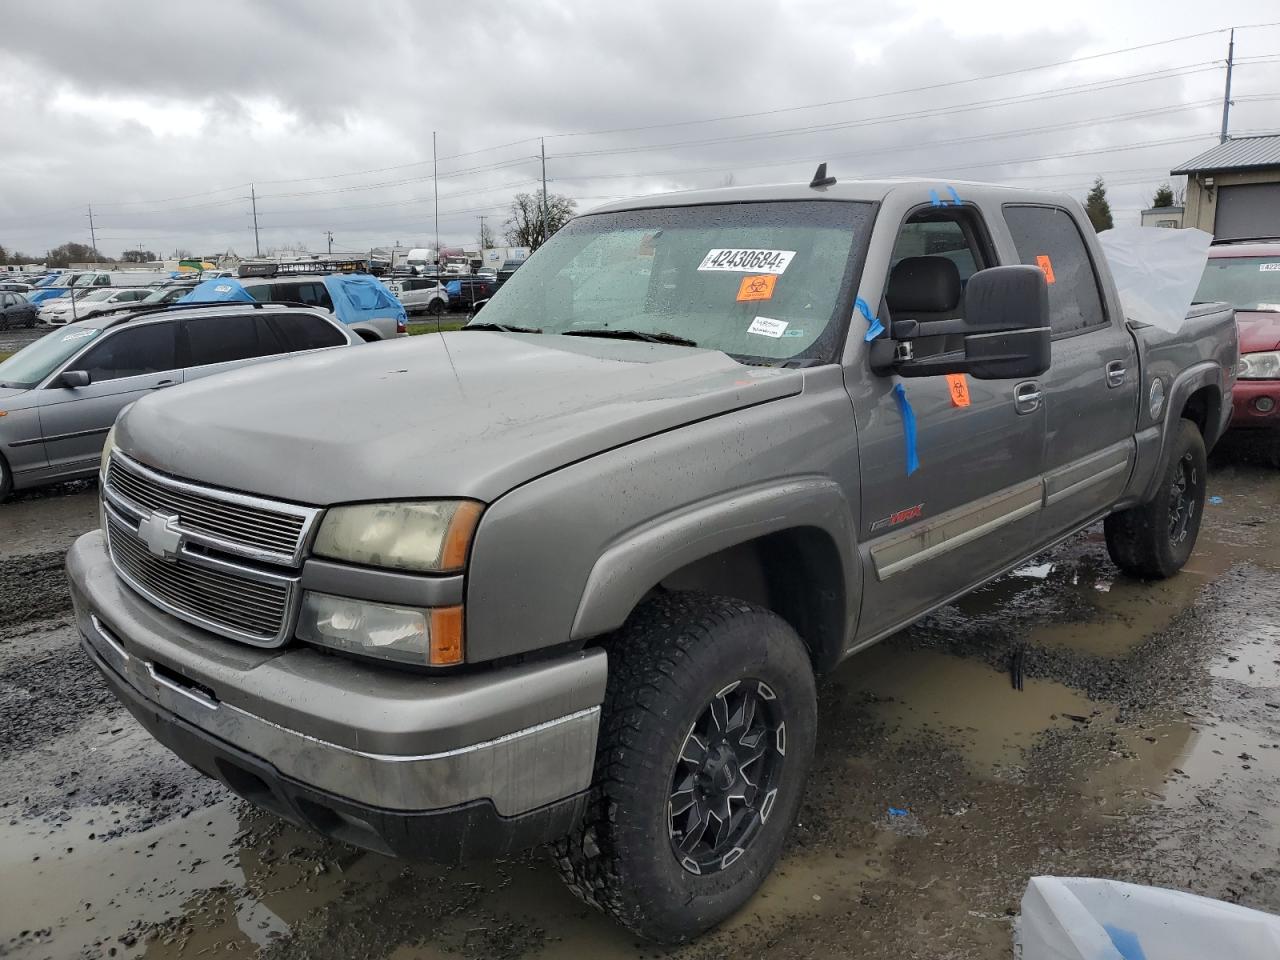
x,y
1233,190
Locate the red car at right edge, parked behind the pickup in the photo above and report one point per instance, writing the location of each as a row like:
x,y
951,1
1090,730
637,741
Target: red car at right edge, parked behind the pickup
x,y
1247,276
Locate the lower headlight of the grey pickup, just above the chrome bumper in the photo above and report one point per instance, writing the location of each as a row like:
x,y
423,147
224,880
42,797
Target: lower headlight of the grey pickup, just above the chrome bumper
x,y
404,634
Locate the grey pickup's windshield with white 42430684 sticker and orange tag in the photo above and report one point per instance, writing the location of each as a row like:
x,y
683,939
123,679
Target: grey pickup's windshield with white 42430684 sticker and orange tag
x,y
760,282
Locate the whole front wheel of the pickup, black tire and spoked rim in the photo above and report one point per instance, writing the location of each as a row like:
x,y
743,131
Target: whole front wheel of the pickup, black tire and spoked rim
x,y
705,748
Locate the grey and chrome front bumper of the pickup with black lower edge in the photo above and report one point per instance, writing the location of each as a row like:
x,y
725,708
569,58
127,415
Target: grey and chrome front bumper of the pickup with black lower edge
x,y
394,762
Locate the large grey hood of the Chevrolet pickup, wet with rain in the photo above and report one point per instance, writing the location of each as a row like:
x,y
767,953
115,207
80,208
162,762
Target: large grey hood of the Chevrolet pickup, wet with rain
x,y
454,415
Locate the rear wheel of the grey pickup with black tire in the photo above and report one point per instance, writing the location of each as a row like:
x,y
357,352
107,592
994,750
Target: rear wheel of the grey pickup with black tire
x,y
1140,540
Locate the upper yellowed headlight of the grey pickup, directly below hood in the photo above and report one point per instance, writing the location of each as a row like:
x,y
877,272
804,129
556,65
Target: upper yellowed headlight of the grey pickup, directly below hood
x,y
432,537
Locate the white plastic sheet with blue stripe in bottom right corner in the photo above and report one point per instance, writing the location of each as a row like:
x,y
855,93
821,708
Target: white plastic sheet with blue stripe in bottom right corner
x,y
1099,920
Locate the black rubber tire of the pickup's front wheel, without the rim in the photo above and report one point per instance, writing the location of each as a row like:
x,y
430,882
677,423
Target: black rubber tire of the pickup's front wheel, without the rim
x,y
675,653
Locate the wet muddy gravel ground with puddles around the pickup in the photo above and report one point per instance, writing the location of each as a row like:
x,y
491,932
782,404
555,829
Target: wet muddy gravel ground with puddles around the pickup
x,y
1145,747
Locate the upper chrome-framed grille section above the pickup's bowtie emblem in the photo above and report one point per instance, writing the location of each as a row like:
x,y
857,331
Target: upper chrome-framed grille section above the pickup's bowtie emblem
x,y
239,524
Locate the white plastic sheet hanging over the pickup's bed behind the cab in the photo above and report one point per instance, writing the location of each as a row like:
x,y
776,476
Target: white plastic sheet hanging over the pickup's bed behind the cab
x,y
1156,271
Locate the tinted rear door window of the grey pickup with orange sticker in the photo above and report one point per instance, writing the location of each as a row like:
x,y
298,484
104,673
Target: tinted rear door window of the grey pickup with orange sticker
x,y
1049,237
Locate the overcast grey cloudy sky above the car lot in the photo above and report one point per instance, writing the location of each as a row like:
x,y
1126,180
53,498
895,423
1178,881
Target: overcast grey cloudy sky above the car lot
x,y
162,116
